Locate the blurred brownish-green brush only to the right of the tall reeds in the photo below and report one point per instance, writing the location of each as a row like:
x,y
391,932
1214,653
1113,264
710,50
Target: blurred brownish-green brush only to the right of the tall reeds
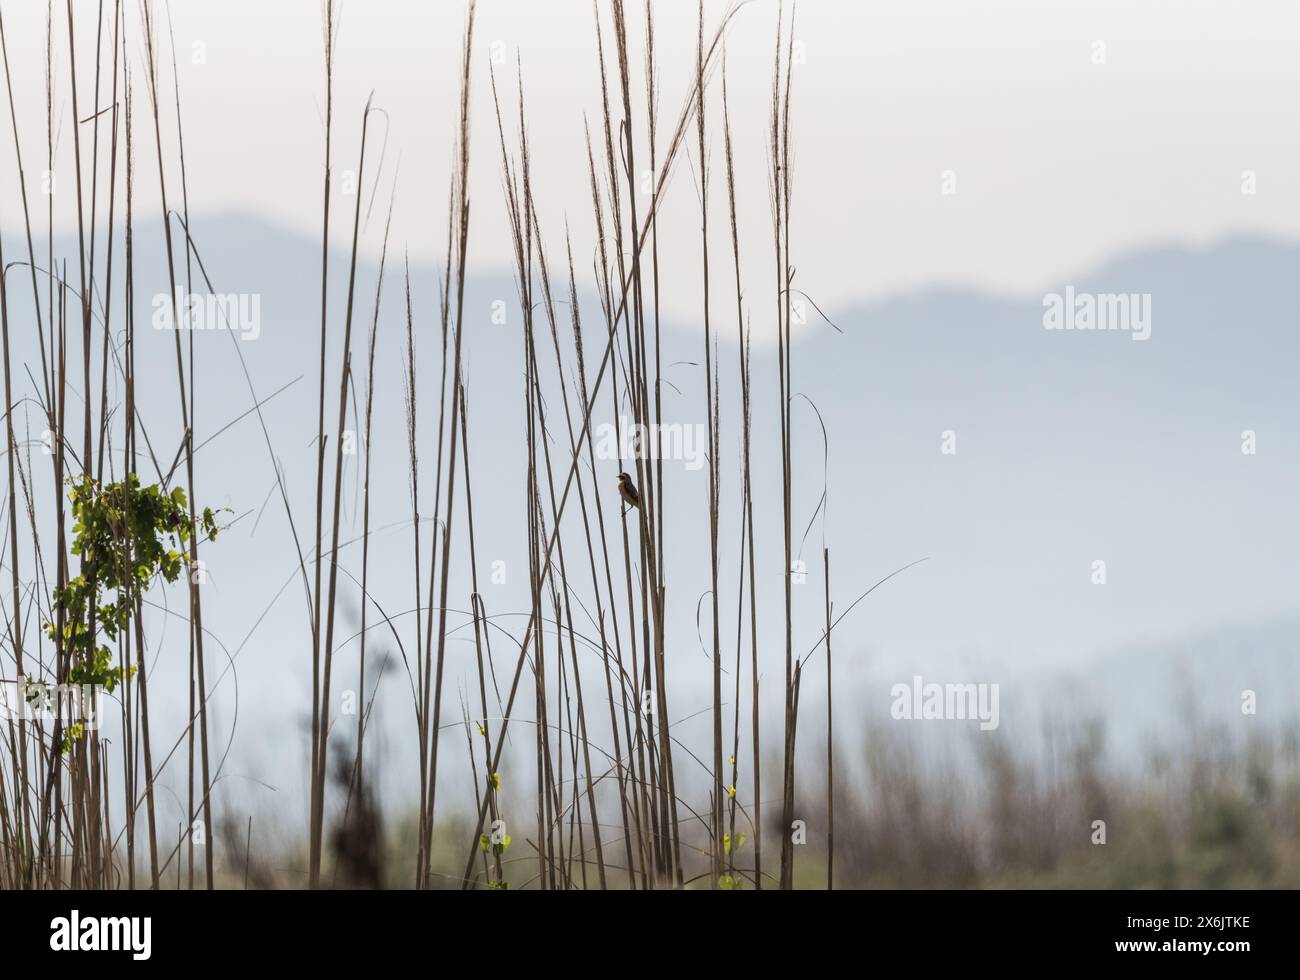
x,y
1216,812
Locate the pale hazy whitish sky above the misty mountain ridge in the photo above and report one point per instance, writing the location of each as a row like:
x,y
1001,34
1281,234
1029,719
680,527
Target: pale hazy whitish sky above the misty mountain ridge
x,y
1073,131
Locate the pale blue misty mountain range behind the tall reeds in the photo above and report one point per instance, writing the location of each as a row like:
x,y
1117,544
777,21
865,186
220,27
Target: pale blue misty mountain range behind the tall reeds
x,y
959,430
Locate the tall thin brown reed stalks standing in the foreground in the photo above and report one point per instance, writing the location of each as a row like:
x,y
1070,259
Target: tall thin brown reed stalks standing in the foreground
x,y
617,800
